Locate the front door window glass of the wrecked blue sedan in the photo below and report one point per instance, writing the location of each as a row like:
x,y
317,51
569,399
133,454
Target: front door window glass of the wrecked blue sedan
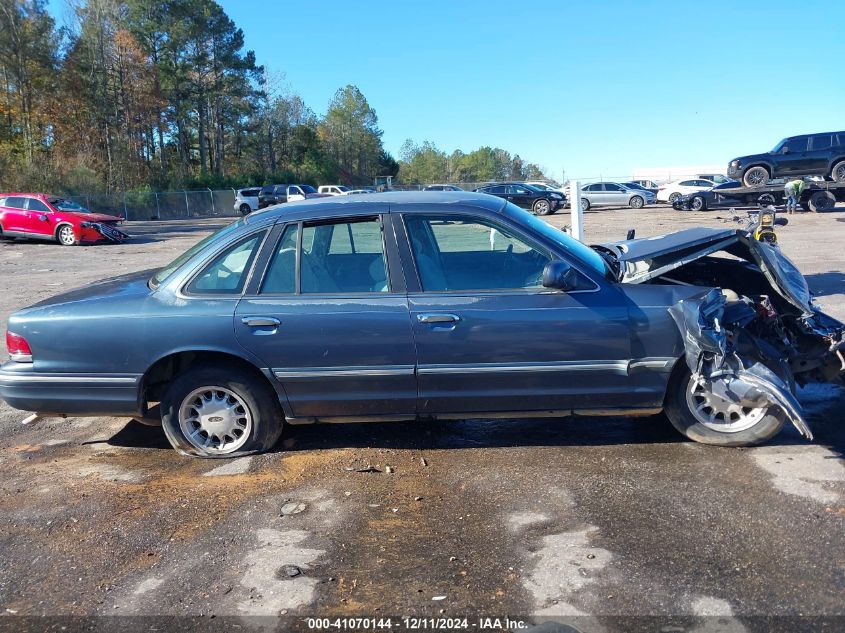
x,y
455,253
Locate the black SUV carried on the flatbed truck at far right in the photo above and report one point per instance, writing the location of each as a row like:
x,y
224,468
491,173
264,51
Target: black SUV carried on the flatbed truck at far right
x,y
807,155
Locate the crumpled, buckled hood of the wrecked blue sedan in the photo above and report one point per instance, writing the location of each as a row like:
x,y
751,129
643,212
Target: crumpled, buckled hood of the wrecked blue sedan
x,y
643,259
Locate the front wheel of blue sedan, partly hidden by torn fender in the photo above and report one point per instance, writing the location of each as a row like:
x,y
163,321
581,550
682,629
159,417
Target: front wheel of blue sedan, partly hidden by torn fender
x,y
705,417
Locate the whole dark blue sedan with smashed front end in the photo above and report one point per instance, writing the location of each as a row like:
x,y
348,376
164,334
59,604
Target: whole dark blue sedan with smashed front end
x,y
405,306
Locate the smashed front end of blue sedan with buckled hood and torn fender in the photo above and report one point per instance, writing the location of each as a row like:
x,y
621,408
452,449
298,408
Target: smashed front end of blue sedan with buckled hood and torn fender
x,y
753,332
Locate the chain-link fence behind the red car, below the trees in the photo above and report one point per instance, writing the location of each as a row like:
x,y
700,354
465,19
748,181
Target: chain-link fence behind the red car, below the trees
x,y
165,205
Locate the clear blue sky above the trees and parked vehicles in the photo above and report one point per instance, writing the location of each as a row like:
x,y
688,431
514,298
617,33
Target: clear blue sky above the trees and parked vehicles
x,y
595,88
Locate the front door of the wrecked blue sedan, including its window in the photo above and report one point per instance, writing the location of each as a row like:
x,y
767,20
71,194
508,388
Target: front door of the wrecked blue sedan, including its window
x,y
490,338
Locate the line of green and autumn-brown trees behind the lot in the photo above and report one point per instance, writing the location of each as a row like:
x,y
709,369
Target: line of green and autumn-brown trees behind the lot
x,y
161,94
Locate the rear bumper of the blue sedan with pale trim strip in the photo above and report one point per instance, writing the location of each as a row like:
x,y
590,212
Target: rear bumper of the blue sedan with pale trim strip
x,y
72,394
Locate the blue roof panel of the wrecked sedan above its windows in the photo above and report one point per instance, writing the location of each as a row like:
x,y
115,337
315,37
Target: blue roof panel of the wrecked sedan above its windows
x,y
404,201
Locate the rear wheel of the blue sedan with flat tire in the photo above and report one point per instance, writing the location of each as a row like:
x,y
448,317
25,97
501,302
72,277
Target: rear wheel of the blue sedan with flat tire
x,y
213,412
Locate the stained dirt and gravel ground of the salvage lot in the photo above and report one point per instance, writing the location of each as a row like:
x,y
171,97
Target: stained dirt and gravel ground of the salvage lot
x,y
586,520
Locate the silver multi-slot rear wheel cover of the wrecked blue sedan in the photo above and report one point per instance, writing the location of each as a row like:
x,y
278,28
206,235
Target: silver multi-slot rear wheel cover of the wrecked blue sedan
x,y
215,420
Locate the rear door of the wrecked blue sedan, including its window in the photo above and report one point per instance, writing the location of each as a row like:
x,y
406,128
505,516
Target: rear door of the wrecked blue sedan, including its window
x,y
330,318
